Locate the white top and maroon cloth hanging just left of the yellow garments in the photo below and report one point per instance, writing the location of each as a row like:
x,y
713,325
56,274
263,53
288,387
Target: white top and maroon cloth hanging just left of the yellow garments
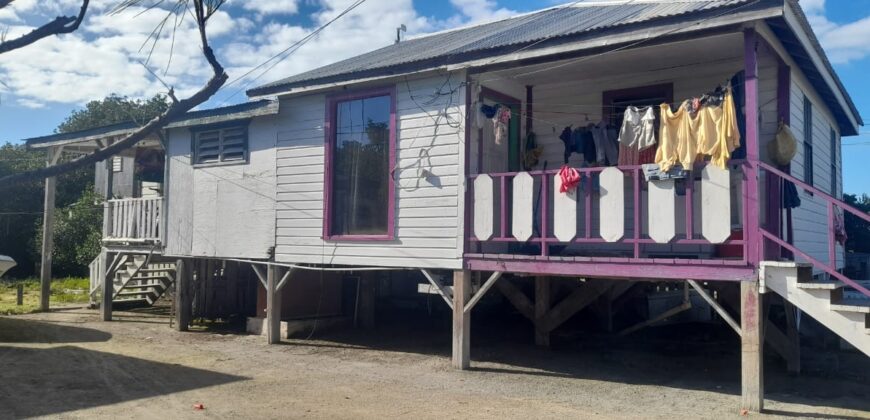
x,y
637,136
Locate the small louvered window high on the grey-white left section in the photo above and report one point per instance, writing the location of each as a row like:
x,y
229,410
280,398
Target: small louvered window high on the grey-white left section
x,y
216,145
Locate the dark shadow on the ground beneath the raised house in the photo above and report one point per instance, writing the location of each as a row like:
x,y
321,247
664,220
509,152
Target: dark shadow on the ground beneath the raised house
x,y
702,357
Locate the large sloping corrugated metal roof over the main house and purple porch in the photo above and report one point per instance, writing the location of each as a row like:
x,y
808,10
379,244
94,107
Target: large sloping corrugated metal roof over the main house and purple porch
x,y
548,24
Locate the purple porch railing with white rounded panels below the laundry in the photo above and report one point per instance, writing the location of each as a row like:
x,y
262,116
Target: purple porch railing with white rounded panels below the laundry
x,y
633,236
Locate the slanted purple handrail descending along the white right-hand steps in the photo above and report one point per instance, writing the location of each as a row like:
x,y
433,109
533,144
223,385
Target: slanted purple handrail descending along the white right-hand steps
x,y
831,268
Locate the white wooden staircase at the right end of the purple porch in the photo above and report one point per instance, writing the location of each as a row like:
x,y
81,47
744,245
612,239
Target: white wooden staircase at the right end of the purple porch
x,y
830,302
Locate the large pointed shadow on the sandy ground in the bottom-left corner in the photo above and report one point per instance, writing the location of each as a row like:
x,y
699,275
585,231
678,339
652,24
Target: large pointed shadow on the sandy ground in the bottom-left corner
x,y
74,378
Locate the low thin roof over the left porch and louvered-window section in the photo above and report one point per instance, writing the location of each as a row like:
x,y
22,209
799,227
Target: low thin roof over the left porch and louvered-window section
x,y
130,125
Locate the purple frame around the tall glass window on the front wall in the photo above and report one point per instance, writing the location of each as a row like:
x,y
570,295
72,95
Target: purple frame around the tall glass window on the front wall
x,y
329,126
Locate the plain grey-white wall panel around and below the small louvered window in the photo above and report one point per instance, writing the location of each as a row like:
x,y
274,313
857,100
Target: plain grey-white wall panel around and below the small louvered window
x,y
222,211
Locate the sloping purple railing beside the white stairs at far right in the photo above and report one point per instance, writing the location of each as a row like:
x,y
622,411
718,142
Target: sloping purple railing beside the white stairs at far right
x,y
830,266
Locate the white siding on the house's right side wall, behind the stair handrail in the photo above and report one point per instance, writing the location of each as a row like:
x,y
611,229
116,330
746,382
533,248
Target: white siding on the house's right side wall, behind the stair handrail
x,y
810,219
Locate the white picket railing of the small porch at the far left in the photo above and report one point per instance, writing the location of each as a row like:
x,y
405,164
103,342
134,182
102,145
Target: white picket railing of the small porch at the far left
x,y
136,220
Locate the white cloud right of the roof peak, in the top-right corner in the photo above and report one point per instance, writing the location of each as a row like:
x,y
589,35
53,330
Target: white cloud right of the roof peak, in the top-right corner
x,y
843,42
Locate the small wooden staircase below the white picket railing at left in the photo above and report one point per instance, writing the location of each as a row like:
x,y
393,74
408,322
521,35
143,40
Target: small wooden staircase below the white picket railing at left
x,y
140,279
